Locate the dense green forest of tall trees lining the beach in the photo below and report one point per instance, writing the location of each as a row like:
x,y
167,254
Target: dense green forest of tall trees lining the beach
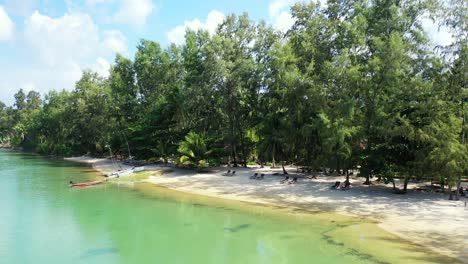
x,y
353,84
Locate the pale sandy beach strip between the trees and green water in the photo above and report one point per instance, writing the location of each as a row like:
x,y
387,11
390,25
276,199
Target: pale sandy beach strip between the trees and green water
x,y
414,216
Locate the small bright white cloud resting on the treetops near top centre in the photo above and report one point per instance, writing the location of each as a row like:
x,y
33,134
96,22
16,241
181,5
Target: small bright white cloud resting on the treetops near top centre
x,y
177,34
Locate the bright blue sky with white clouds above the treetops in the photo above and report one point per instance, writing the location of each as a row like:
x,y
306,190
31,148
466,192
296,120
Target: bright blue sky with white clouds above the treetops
x,y
46,44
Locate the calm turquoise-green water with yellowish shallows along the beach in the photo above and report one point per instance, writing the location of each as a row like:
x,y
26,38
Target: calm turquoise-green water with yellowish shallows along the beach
x,y
42,220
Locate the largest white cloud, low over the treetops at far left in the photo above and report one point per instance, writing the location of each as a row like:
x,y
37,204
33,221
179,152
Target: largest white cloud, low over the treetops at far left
x,y
55,50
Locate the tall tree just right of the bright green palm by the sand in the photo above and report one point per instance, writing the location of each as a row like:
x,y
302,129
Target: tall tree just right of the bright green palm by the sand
x,y
233,43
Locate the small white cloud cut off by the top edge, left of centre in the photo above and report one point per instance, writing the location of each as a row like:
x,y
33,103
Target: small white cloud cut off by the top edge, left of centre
x,y
134,11
